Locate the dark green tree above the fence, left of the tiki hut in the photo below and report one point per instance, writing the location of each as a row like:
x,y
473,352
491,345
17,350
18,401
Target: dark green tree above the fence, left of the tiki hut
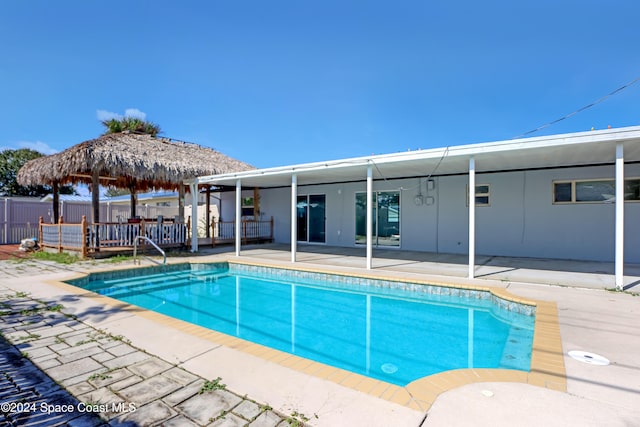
x,y
10,163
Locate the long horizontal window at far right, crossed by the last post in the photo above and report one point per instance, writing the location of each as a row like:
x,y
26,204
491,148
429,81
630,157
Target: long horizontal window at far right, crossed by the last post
x,y
593,191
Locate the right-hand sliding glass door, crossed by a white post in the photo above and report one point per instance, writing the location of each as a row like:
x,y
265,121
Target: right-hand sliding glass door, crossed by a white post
x,y
386,218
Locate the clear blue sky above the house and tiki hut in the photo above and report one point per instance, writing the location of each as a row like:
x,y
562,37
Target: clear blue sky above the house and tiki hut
x,y
284,82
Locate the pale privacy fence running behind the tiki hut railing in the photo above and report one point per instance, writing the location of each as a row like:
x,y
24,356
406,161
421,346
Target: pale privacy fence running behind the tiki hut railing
x,y
19,217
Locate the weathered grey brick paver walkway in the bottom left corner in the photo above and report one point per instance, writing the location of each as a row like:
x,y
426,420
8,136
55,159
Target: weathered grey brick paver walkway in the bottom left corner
x,y
114,383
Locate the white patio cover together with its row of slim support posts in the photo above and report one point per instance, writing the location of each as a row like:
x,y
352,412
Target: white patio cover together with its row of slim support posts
x,y
613,147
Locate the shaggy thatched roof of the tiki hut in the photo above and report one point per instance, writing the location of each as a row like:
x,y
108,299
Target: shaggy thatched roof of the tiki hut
x,y
127,160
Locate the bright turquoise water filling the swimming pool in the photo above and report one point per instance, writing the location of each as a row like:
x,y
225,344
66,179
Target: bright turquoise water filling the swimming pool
x,y
390,331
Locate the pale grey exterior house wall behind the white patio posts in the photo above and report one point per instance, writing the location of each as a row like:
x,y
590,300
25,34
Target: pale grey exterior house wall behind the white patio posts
x,y
521,221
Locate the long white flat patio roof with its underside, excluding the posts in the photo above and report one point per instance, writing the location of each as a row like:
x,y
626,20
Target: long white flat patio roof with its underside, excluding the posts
x,y
585,148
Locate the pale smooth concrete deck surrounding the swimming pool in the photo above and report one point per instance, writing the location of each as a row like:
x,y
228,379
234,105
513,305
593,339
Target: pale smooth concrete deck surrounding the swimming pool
x,y
590,319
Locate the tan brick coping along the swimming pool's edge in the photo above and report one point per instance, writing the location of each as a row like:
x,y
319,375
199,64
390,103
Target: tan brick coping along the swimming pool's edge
x,y
547,360
